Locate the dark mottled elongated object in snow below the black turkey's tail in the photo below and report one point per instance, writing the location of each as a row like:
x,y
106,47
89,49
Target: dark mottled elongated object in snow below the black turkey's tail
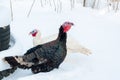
x,y
7,72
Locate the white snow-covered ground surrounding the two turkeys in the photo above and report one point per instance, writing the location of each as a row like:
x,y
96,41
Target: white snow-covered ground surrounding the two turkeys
x,y
97,31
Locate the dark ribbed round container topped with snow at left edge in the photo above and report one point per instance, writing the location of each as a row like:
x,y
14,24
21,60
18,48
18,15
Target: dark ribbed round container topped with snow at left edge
x,y
4,37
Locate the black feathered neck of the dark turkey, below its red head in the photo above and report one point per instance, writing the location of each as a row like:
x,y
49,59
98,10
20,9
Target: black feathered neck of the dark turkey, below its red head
x,y
62,36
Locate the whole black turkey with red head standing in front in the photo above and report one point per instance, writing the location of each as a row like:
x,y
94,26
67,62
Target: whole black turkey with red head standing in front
x,y
45,57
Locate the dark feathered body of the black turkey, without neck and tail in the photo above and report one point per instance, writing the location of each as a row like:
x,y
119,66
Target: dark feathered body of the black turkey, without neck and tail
x,y
46,57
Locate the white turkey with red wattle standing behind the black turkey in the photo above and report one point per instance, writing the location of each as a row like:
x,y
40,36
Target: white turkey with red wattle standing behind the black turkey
x,y
73,45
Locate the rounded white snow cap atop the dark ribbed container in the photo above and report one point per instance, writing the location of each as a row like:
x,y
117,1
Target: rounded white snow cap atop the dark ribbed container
x,y
5,16
